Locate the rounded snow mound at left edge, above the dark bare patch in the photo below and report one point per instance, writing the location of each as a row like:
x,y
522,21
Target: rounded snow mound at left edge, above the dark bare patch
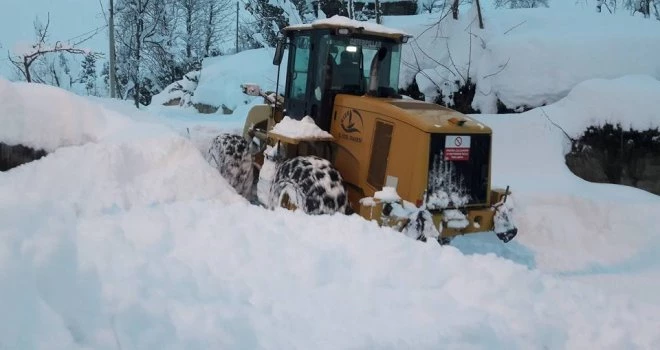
x,y
45,117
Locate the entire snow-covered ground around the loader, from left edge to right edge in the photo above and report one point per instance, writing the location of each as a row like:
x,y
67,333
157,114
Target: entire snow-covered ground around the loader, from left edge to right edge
x,y
124,237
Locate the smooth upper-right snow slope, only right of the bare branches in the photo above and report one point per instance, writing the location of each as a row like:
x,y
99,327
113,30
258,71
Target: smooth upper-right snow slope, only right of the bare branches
x,y
540,61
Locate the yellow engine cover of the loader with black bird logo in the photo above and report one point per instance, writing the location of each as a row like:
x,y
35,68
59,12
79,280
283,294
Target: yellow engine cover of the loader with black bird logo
x,y
407,161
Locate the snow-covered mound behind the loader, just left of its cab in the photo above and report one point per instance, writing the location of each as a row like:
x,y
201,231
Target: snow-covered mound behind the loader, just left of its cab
x,y
221,77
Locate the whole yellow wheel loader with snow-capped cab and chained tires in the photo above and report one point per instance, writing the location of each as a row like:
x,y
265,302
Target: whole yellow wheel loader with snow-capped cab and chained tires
x,y
340,139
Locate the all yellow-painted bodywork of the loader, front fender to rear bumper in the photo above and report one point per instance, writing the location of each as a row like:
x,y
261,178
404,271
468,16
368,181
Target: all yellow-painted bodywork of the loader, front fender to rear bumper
x,y
353,126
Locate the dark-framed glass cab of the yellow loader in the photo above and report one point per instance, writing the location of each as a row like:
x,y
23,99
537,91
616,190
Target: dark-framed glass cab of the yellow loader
x,y
327,60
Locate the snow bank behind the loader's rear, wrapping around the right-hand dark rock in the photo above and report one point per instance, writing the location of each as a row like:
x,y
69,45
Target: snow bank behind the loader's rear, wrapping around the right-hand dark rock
x,y
569,223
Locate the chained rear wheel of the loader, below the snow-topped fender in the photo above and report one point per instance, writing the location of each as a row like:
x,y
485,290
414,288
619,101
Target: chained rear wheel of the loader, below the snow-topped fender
x,y
311,184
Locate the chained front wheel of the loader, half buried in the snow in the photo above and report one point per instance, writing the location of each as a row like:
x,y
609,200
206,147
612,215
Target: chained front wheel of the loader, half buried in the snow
x,y
231,155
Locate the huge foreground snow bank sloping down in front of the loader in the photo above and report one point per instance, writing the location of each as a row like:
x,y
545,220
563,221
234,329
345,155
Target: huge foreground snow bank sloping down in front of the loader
x,y
133,242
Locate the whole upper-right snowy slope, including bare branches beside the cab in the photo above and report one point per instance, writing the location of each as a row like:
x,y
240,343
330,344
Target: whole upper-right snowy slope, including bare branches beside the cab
x,y
524,57
